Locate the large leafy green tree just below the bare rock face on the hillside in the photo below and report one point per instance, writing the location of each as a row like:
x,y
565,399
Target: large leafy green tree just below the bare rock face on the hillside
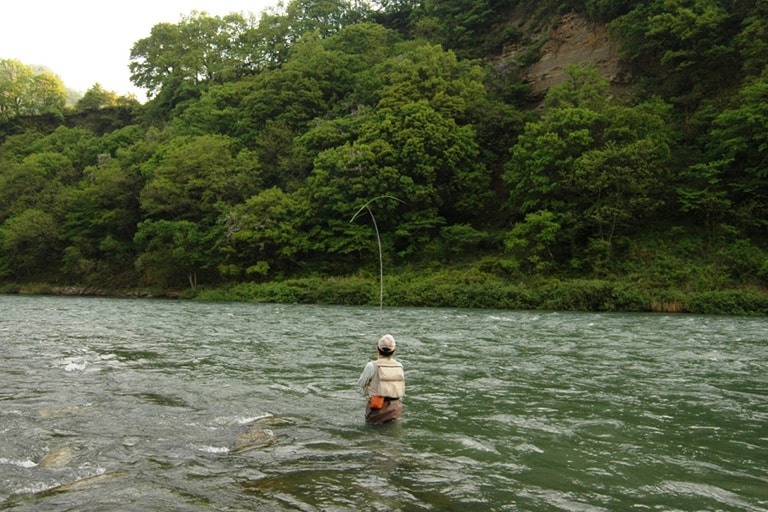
x,y
597,166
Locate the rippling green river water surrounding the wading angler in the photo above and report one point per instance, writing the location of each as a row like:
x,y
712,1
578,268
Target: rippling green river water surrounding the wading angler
x,y
118,404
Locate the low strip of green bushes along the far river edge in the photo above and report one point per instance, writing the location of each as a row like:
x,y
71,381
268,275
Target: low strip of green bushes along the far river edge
x,y
454,289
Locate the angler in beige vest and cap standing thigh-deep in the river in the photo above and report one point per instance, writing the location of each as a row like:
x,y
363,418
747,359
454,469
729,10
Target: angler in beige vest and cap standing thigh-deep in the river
x,y
383,381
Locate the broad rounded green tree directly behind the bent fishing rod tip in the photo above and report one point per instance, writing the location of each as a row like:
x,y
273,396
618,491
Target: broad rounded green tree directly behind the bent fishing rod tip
x,y
414,154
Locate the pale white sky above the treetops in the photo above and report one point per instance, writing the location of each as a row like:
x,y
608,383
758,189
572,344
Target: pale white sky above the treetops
x,y
86,42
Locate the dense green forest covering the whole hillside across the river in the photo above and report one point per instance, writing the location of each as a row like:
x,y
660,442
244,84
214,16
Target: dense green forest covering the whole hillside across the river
x,y
292,156
